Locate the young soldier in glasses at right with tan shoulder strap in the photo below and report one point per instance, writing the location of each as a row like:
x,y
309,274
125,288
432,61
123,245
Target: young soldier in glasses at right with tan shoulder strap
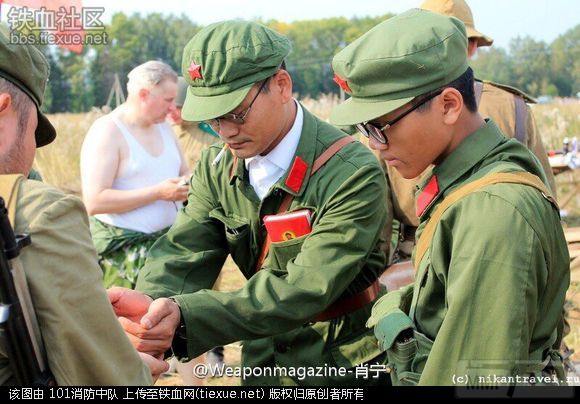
x,y
480,306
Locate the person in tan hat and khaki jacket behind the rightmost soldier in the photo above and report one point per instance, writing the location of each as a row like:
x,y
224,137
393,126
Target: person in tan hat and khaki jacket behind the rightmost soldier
x,y
507,107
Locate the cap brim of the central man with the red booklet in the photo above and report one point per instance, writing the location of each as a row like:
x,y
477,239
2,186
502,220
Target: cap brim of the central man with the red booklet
x,y
201,108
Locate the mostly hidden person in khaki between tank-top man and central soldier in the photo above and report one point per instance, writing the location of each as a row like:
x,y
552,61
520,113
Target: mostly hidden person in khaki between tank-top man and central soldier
x,y
193,137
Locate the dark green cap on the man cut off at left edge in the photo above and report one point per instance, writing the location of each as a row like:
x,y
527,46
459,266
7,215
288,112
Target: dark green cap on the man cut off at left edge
x,y
26,67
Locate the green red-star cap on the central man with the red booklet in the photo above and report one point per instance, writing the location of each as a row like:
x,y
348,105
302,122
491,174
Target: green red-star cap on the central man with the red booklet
x,y
223,61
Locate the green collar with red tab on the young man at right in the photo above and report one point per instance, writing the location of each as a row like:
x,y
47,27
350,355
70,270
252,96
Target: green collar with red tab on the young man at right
x,y
473,149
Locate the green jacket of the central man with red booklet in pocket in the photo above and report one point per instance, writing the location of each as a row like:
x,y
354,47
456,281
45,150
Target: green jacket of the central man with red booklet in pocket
x,y
342,255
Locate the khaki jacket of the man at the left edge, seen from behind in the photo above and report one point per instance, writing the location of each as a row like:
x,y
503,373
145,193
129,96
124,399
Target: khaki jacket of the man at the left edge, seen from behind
x,y
84,341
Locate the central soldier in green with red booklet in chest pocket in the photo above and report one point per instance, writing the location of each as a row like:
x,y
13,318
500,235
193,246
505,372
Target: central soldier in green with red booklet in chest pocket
x,y
307,297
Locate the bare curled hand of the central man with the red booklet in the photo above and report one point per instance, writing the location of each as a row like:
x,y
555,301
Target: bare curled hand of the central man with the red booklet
x,y
154,333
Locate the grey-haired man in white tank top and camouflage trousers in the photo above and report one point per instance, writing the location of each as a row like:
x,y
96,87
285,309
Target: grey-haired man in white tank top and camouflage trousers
x,y
133,173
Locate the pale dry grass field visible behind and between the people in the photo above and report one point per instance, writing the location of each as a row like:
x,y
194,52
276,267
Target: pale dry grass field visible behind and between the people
x,y
58,163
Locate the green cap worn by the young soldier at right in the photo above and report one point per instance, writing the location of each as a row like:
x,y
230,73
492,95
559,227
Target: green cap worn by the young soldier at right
x,y
401,58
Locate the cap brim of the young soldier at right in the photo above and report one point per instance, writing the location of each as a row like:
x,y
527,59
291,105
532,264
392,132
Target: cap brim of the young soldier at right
x,y
354,110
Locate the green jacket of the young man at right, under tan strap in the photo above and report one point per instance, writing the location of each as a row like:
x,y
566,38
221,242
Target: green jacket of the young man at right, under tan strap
x,y
489,292
